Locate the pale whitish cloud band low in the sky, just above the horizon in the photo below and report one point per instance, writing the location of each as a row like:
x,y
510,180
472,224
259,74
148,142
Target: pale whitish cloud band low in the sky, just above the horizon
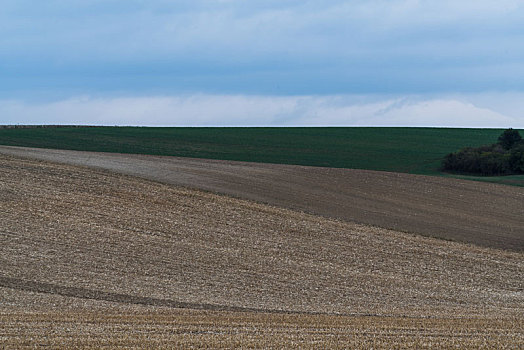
x,y
243,110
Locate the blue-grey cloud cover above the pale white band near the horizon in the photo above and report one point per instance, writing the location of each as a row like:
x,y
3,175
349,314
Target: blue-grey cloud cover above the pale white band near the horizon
x,y
313,47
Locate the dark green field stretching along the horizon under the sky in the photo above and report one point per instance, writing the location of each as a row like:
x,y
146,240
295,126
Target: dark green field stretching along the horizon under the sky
x,y
409,150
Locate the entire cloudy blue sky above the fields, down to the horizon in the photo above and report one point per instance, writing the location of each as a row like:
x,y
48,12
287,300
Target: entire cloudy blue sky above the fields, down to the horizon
x,y
262,63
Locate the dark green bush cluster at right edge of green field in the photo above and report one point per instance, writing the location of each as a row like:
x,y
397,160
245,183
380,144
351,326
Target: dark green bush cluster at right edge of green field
x,y
502,158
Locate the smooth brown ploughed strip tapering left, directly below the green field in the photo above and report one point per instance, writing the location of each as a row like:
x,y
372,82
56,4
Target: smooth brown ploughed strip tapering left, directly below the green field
x,y
480,213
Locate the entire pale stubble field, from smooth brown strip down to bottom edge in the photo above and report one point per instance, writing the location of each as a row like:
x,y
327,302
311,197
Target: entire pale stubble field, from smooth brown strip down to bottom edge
x,y
93,259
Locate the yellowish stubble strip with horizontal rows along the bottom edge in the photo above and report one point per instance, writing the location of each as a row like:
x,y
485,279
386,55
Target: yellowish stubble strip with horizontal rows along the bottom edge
x,y
189,329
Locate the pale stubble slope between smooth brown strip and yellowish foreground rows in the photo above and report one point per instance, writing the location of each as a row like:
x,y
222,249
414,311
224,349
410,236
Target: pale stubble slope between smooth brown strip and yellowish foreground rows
x,y
93,231
